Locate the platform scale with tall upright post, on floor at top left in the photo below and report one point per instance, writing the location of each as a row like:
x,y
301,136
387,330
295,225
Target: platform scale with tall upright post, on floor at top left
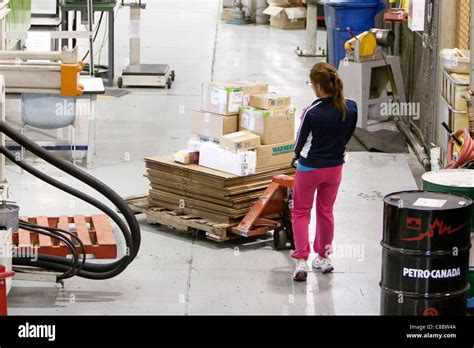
x,y
137,74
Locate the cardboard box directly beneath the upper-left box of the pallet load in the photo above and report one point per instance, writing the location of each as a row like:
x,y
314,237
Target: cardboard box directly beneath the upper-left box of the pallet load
x,y
213,126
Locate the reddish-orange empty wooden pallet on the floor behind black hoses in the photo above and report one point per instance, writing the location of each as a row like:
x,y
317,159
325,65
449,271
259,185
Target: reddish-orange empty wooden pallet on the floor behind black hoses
x,y
94,231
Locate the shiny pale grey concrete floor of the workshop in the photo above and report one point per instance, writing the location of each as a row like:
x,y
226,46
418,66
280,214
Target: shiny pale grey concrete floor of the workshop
x,y
177,273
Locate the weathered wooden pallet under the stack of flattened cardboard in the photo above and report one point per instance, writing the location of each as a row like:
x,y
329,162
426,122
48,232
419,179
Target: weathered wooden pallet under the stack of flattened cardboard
x,y
179,221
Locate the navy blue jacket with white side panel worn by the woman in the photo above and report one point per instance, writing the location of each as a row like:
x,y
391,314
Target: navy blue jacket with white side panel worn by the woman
x,y
323,136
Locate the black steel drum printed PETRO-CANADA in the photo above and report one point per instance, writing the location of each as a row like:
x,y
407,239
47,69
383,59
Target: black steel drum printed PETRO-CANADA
x,y
425,257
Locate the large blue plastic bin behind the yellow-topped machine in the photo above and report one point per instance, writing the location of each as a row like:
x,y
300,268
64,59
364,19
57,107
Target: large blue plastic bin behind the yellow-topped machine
x,y
358,15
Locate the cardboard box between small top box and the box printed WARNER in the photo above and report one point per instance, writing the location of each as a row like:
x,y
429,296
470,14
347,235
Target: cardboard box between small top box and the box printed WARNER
x,y
273,126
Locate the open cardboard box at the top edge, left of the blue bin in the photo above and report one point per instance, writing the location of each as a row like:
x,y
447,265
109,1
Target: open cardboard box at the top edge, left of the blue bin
x,y
286,14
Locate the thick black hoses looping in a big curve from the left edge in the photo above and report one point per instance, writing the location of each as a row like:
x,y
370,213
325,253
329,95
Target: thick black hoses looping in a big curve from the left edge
x,y
129,227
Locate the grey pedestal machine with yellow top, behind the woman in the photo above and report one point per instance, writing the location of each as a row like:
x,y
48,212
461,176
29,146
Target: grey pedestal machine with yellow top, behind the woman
x,y
371,77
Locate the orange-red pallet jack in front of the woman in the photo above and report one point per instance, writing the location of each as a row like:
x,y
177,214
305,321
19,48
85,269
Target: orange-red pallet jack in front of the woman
x,y
272,212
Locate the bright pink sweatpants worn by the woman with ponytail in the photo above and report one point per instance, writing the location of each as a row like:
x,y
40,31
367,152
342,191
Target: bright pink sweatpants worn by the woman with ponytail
x,y
326,182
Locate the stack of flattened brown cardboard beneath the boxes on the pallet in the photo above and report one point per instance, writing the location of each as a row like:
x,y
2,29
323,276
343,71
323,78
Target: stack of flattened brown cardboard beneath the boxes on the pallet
x,y
203,192
